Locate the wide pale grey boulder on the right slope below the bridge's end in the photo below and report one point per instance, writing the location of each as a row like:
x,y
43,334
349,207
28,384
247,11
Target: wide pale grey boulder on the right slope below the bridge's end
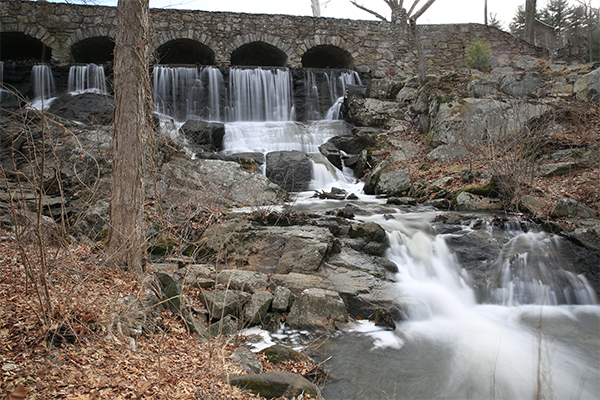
x,y
472,121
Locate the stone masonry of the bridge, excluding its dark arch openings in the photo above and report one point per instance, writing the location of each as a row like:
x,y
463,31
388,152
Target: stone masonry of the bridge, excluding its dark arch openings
x,y
382,47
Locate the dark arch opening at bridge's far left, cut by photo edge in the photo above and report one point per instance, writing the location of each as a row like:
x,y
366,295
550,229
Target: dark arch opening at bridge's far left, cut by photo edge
x,y
17,46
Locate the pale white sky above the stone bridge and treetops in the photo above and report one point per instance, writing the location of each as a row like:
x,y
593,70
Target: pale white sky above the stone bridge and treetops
x,y
442,11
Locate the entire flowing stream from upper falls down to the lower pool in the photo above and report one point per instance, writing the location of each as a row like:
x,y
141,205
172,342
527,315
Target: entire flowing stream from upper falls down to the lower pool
x,y
533,334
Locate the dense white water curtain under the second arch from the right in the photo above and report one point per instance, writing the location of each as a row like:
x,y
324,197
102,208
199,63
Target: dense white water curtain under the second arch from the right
x,y
260,95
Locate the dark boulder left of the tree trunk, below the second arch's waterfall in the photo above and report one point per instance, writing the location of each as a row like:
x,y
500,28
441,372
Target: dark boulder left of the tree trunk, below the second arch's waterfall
x,y
89,108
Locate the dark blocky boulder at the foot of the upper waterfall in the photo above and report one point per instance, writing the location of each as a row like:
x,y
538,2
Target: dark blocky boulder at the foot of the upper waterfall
x,y
292,170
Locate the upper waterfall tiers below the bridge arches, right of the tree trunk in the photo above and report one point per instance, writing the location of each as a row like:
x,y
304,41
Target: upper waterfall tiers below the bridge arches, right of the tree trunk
x,y
258,108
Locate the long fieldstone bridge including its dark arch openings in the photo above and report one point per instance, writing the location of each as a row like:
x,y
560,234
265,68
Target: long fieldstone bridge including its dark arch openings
x,y
63,34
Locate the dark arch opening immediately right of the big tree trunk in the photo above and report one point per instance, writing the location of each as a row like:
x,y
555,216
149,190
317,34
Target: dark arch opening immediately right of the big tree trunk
x,y
185,51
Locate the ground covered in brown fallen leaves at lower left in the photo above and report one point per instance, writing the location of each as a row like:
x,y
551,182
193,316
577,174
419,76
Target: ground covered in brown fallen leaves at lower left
x,y
80,355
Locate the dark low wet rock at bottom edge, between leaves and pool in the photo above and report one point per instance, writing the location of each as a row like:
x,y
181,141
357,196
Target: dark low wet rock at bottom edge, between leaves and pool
x,y
276,384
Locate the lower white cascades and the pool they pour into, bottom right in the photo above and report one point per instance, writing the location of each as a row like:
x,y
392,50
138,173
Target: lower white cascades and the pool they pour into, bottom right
x,y
453,348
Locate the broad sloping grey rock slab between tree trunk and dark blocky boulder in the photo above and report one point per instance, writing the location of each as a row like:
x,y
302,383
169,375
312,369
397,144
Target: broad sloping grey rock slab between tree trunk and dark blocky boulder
x,y
226,180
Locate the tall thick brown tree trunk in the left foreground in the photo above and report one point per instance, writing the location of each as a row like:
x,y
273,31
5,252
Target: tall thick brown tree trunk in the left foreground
x,y
126,237
